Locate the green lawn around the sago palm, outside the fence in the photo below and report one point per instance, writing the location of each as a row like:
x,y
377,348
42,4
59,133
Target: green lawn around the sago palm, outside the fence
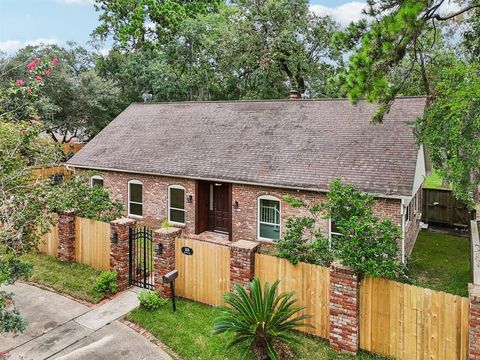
x,y
188,332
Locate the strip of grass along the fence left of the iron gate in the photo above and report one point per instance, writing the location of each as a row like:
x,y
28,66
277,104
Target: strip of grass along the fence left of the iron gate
x,y
73,279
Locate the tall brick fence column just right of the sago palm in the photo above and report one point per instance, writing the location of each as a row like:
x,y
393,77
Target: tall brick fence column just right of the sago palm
x,y
344,309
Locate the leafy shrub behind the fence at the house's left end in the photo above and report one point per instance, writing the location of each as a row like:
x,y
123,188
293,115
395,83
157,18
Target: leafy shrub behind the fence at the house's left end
x,y
92,202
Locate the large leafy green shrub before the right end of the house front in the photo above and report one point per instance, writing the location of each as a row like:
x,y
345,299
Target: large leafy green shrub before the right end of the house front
x,y
368,244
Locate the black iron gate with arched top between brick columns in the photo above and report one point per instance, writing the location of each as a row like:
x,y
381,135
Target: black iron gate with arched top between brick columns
x,y
141,260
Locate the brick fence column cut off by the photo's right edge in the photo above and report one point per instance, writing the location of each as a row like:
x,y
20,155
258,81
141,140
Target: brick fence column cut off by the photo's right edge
x,y
474,322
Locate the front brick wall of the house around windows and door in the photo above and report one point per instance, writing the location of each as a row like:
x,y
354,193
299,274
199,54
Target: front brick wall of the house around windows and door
x,y
244,219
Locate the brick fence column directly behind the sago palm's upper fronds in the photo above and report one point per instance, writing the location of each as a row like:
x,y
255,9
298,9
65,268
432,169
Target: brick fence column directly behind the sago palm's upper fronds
x,y
242,263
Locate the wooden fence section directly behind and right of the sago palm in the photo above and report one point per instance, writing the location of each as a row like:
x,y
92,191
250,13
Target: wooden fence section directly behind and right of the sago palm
x,y
310,283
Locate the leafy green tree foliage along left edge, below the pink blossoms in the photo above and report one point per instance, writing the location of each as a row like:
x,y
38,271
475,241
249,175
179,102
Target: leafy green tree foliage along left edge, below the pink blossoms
x,y
24,205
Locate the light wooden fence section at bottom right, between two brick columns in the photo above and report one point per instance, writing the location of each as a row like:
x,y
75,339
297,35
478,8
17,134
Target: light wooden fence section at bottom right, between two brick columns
x,y
408,322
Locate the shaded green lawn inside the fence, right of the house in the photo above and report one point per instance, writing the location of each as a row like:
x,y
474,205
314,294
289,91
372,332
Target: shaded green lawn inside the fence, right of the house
x,y
441,262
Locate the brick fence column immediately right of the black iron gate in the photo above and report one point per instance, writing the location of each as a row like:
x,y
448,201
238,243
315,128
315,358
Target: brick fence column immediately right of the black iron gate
x,y
165,262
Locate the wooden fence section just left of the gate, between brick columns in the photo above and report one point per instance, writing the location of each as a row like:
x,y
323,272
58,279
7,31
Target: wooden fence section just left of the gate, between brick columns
x,y
92,243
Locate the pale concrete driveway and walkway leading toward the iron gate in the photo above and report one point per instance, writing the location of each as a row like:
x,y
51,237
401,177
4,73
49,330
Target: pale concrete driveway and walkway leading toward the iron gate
x,y
60,328
